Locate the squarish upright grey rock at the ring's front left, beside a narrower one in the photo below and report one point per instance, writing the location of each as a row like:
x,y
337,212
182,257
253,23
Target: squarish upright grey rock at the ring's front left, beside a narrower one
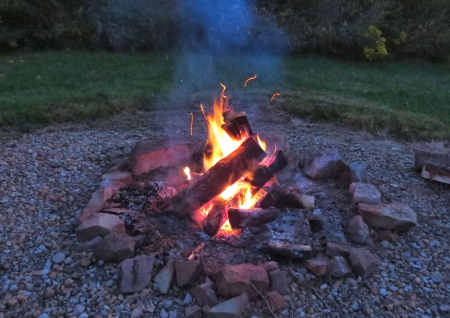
x,y
136,273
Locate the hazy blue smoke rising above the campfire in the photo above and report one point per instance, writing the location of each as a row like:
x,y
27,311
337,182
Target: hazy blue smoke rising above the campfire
x,y
225,41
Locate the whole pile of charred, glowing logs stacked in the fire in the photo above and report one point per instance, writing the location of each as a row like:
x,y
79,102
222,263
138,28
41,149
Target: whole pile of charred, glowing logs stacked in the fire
x,y
248,161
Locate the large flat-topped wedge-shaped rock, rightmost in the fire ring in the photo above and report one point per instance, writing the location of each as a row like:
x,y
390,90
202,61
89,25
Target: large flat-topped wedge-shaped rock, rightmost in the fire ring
x,y
395,216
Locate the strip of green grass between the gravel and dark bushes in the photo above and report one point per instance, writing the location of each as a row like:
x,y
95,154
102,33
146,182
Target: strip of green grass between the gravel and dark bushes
x,y
407,98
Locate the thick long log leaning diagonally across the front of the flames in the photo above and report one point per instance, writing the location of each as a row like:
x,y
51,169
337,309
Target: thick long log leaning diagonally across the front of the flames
x,y
224,173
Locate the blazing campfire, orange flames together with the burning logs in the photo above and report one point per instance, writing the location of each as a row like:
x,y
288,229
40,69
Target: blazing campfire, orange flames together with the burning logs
x,y
234,190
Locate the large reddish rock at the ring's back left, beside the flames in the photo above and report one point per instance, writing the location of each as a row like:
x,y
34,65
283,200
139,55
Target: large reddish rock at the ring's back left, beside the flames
x,y
150,155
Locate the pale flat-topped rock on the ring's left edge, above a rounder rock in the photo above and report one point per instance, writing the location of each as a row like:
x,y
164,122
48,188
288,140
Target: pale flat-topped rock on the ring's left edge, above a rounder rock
x,y
100,224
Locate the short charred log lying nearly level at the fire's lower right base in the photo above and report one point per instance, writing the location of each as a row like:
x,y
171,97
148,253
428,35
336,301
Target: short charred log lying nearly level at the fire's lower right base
x,y
241,218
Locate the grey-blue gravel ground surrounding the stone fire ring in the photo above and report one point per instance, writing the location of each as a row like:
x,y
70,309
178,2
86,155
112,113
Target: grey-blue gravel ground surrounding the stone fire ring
x,y
49,175
